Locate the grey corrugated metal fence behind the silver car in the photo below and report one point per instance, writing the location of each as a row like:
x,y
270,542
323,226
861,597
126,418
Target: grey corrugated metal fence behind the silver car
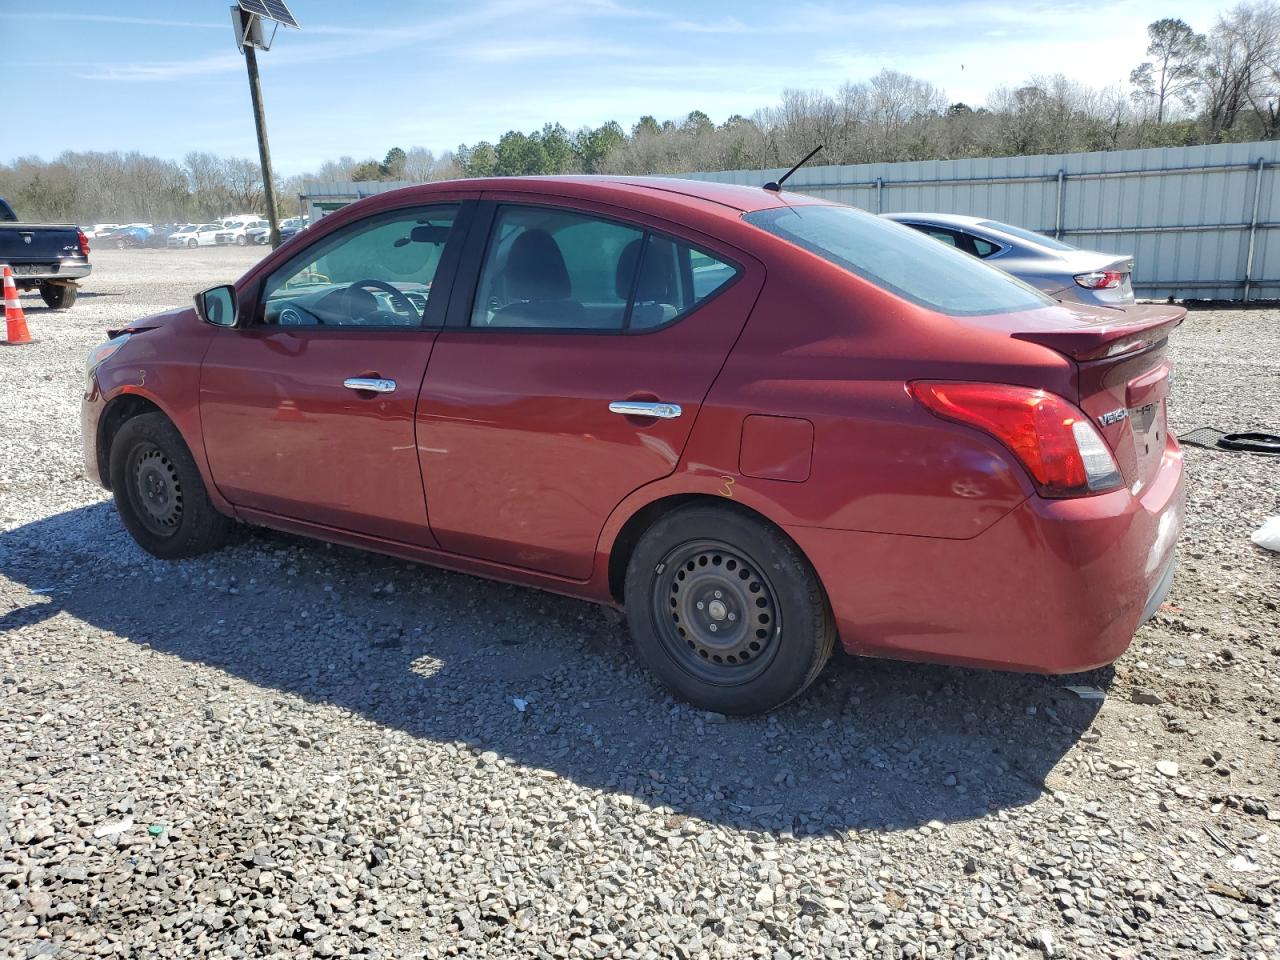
x,y
1201,222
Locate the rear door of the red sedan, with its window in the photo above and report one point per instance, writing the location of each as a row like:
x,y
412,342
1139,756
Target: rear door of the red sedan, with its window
x,y
579,348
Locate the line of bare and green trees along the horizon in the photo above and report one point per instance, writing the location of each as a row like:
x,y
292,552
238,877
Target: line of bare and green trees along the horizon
x,y
1222,86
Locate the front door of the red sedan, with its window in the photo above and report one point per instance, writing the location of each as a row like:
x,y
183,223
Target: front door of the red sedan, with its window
x,y
308,412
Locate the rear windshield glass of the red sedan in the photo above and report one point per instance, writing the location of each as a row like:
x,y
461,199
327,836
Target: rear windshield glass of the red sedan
x,y
900,260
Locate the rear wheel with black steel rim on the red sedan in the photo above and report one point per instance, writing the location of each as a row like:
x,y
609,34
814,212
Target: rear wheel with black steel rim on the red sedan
x,y
726,611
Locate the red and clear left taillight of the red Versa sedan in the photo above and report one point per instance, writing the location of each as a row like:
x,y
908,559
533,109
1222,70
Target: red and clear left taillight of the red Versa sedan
x,y
1053,438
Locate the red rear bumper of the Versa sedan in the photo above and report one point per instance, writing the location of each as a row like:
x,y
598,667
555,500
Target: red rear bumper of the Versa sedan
x,y
1055,587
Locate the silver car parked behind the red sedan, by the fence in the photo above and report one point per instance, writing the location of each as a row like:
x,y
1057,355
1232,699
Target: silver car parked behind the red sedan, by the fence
x,y
1059,269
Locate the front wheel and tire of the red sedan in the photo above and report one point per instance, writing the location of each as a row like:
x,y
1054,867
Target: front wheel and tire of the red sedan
x,y
159,493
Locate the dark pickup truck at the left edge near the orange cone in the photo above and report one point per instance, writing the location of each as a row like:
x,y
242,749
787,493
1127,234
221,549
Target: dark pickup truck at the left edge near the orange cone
x,y
49,258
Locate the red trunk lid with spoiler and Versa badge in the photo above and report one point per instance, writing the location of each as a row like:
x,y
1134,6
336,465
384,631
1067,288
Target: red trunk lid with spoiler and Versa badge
x,y
1124,376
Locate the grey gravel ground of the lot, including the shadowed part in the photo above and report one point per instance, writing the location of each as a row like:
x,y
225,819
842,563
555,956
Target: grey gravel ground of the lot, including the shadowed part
x,y
290,749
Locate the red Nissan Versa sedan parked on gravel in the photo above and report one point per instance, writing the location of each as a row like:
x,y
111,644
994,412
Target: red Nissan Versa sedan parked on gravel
x,y
761,422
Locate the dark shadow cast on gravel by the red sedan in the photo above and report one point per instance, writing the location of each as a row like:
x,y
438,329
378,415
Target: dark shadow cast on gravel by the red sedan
x,y
550,683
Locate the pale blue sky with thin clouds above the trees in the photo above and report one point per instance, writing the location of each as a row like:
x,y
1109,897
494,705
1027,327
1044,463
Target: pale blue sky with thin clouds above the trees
x,y
368,75
